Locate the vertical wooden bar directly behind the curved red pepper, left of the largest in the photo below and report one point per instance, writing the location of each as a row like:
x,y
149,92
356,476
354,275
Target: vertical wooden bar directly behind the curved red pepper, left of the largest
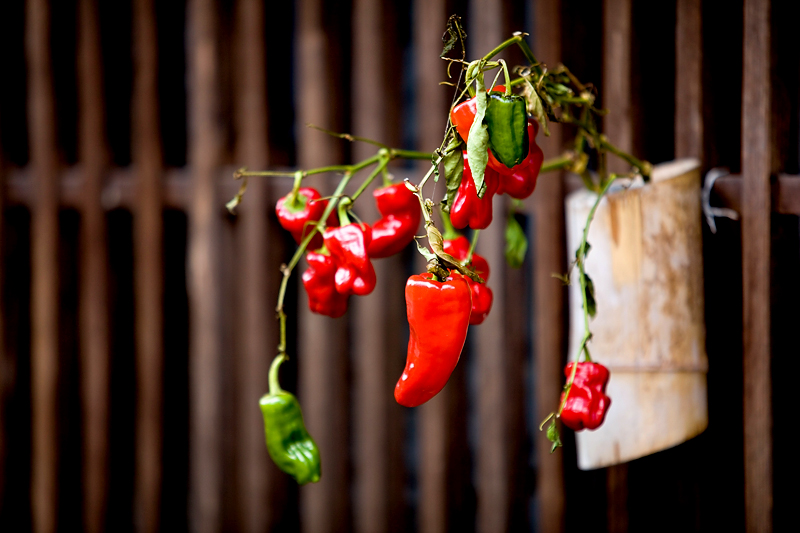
x,y
377,417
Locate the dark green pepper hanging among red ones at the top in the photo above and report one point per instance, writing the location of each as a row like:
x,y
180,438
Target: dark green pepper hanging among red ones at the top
x,y
507,119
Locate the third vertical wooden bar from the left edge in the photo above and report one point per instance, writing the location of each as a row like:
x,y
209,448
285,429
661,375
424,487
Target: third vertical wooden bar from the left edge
x,y
149,285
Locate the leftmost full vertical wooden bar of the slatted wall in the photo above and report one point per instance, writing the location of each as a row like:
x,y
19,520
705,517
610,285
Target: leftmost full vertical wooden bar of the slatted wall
x,y
44,234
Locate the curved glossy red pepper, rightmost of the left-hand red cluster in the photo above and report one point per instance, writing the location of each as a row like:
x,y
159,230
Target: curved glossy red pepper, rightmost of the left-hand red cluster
x,y
400,216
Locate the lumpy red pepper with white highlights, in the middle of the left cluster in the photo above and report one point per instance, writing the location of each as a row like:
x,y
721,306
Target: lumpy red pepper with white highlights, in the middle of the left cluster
x,y
348,247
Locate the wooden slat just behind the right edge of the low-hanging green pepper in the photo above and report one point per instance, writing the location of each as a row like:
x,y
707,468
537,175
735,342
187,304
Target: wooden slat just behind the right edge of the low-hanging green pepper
x,y
322,345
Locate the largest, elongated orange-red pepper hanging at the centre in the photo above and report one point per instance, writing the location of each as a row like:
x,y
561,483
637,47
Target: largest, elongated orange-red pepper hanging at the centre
x,y
438,318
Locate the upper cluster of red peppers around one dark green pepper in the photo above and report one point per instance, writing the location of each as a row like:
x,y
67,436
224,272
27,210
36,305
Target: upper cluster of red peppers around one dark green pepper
x,y
514,157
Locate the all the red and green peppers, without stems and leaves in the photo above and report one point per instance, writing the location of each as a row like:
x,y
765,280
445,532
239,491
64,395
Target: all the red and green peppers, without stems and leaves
x,y
440,304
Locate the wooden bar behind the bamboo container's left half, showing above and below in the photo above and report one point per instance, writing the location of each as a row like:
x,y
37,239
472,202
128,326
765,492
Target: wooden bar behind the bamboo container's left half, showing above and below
x,y
618,126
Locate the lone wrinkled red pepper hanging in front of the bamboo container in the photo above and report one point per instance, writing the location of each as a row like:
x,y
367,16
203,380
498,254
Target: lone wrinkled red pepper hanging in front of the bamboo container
x,y
587,402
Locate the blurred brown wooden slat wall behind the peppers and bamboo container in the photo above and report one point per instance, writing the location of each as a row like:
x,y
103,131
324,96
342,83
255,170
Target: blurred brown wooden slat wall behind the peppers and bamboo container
x,y
137,315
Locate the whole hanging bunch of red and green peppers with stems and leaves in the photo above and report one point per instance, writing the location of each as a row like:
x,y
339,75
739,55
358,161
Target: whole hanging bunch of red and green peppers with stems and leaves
x,y
489,149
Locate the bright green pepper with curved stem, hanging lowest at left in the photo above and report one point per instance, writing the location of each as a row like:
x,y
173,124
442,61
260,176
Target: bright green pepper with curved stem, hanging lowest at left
x,y
288,441
